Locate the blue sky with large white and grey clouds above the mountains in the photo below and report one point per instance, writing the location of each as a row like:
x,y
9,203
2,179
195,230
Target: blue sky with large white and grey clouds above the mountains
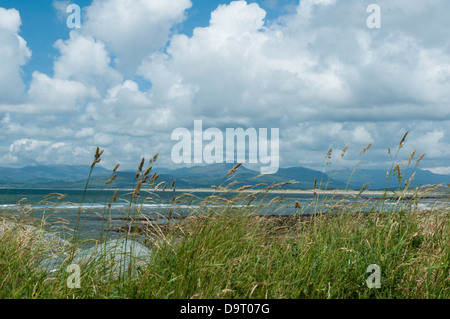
x,y
138,69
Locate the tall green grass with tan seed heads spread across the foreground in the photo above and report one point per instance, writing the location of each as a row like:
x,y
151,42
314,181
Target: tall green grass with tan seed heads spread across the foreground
x,y
226,249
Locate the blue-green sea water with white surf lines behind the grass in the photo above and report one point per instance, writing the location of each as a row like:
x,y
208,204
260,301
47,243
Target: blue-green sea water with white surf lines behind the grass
x,y
98,214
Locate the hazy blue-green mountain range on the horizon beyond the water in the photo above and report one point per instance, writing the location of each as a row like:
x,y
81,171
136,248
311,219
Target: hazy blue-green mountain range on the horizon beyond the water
x,y
64,176
